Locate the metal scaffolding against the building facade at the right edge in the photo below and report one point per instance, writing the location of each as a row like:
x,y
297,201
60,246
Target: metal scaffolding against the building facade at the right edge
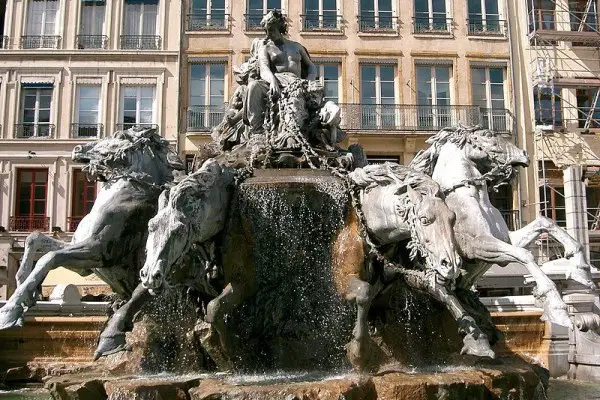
x,y
564,46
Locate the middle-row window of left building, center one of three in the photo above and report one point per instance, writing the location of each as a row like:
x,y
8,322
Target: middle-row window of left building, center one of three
x,y
88,112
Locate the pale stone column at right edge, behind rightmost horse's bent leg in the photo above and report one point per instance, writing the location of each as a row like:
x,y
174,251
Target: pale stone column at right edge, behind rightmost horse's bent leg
x,y
576,206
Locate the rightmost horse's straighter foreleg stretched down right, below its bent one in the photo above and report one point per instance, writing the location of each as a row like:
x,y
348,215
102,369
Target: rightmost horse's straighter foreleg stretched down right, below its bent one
x,y
495,251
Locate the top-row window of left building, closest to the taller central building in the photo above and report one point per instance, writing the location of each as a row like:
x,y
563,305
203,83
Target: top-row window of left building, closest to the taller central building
x,y
140,25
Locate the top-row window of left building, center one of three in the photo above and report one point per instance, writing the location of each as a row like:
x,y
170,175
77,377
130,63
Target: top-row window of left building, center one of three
x,y
91,26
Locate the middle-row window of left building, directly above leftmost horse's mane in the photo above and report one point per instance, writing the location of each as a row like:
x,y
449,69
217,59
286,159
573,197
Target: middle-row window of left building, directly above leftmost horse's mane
x,y
137,104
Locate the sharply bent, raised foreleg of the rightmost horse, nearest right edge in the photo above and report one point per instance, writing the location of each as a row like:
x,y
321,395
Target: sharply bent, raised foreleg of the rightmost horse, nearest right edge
x,y
579,269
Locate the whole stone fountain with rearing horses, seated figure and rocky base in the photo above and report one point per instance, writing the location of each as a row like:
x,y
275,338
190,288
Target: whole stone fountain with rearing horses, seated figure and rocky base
x,y
284,267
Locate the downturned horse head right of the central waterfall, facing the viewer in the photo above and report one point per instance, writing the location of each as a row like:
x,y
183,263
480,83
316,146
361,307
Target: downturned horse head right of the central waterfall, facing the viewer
x,y
432,233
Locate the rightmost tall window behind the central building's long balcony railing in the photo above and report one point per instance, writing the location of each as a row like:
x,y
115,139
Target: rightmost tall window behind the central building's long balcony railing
x,y
487,88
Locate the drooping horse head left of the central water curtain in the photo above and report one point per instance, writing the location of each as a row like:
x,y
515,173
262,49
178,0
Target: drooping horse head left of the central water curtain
x,y
191,212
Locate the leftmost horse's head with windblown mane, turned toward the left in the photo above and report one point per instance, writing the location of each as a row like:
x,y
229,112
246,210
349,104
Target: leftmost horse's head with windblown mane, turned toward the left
x,y
137,153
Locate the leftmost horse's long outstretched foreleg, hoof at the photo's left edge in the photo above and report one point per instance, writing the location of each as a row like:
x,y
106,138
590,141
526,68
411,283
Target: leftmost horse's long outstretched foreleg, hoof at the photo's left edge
x,y
81,255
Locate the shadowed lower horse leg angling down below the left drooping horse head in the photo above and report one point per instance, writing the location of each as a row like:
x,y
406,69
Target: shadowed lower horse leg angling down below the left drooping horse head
x,y
112,338
